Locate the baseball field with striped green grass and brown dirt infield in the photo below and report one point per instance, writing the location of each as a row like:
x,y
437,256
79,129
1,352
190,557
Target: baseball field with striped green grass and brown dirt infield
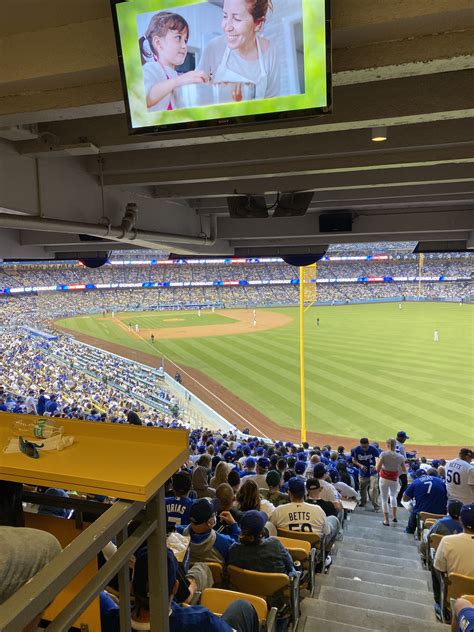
x,y
370,369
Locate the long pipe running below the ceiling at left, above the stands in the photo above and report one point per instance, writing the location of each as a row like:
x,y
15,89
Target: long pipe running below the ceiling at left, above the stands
x,y
126,232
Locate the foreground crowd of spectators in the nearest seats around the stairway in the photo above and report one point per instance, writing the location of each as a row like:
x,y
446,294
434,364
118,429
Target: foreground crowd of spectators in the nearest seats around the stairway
x,y
236,494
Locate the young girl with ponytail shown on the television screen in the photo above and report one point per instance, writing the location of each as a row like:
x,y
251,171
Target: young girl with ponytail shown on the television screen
x,y
163,47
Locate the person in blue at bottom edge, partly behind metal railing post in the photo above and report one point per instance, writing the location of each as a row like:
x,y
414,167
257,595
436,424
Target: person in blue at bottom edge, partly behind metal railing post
x,y
240,616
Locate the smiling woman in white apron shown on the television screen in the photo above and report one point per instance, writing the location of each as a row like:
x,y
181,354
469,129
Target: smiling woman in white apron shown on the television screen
x,y
241,54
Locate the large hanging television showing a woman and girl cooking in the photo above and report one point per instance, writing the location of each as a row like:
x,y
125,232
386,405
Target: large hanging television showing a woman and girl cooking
x,y
189,63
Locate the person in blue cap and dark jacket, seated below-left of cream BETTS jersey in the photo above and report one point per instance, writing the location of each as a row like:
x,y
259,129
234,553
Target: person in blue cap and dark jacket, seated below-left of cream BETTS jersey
x,y
255,551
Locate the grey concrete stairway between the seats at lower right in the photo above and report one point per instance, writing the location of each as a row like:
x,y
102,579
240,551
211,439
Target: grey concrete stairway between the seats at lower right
x,y
376,582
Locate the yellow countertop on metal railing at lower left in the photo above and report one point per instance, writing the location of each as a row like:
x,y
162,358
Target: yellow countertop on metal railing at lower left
x,y
123,461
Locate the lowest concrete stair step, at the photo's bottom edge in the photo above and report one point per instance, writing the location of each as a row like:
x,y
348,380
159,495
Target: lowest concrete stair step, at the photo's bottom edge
x,y
368,619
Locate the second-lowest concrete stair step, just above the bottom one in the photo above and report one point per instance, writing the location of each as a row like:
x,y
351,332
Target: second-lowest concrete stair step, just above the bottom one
x,y
342,596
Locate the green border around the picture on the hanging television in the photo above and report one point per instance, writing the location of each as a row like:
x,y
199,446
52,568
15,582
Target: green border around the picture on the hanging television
x,y
317,69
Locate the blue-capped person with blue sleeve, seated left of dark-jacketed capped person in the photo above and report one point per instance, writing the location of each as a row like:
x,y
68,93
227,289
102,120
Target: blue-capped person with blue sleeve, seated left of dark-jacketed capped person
x,y
206,544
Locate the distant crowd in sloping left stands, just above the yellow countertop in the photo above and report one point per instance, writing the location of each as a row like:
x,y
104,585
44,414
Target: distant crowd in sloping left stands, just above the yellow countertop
x,y
64,378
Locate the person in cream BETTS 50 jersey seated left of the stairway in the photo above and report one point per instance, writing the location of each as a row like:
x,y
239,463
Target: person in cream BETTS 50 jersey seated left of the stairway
x,y
299,515
